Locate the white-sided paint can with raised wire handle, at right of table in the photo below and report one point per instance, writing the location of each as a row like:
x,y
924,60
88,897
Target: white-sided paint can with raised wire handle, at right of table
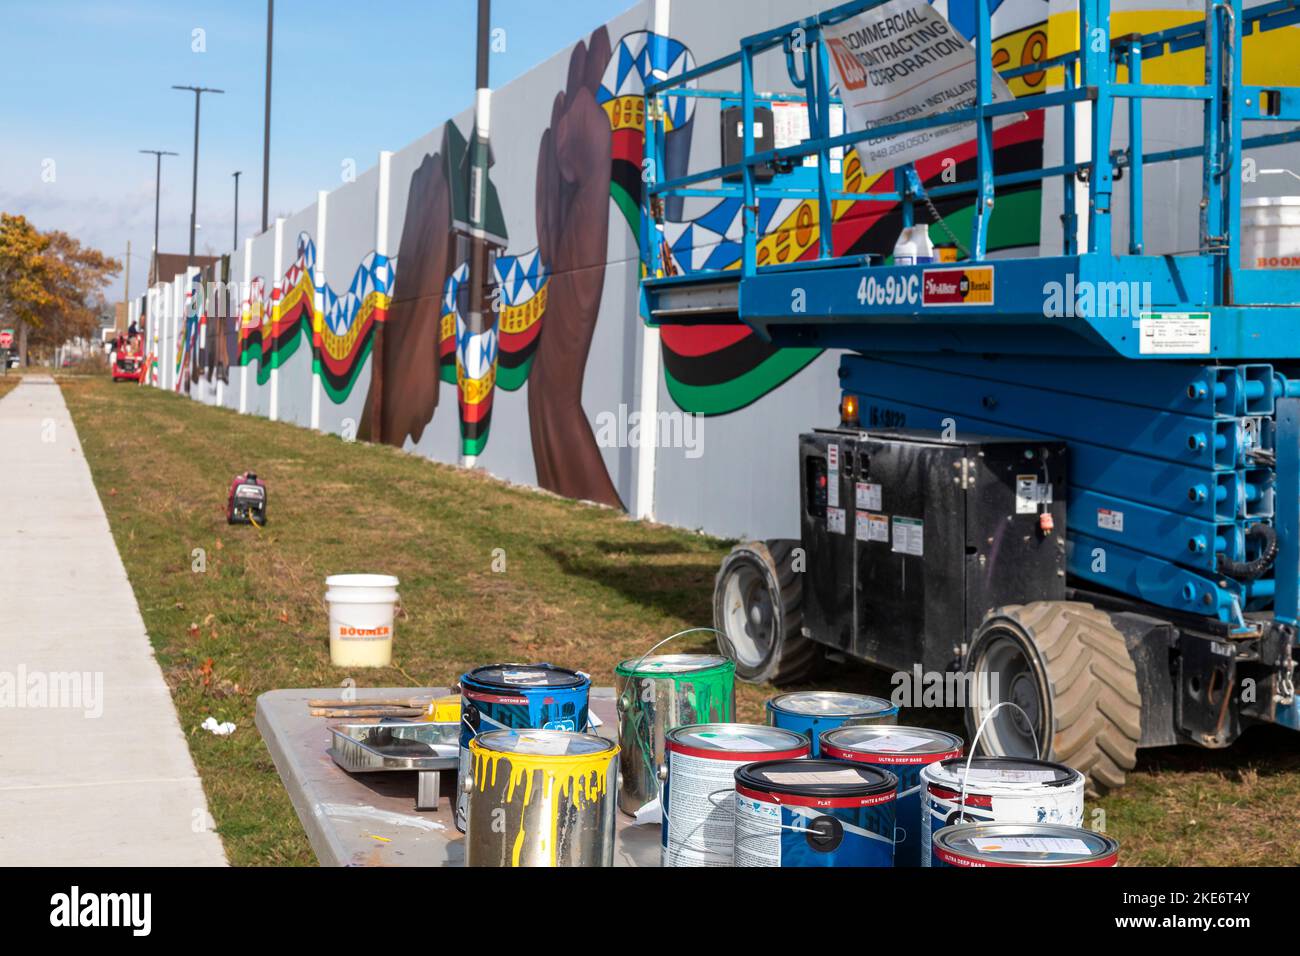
x,y
999,790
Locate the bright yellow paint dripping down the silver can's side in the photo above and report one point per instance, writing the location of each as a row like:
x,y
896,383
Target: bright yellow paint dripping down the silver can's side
x,y
582,780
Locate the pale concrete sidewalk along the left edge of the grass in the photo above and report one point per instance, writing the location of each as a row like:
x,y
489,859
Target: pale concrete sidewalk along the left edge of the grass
x,y
94,768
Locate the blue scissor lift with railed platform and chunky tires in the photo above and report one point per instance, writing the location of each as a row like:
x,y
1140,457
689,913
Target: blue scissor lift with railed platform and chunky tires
x,y
1181,417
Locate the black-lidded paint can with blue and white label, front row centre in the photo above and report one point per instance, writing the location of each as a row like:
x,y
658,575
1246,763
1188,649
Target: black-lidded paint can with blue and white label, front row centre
x,y
814,814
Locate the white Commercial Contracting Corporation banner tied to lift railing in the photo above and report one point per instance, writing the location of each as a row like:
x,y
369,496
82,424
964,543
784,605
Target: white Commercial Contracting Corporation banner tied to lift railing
x,y
904,62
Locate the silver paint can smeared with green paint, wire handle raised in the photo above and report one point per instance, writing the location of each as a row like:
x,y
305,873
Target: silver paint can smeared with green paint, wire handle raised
x,y
656,695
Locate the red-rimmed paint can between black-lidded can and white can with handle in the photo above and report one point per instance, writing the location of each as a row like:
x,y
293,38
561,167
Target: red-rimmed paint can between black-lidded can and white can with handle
x,y
905,752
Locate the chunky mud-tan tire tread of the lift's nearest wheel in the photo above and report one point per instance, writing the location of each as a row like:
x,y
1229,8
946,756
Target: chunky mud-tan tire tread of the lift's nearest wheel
x,y
1087,680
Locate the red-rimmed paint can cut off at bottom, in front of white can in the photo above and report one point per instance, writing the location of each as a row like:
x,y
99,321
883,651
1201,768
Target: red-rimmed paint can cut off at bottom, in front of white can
x,y
1022,845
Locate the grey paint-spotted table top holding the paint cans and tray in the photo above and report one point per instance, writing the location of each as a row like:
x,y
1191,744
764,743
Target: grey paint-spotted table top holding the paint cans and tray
x,y
370,820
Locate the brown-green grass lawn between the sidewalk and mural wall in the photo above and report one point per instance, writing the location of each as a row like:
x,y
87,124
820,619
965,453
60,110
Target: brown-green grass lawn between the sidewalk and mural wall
x,y
584,587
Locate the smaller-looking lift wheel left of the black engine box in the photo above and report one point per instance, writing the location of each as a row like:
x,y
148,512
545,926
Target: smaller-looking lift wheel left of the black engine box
x,y
781,654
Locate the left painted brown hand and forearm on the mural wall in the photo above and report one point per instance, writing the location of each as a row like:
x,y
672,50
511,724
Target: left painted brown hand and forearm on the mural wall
x,y
408,386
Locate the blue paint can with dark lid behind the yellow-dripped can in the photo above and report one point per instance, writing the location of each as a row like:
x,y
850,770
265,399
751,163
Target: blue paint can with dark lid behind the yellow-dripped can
x,y
518,697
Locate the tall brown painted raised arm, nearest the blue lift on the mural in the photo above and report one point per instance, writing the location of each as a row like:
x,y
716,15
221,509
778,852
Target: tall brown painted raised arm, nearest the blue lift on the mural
x,y
573,236
